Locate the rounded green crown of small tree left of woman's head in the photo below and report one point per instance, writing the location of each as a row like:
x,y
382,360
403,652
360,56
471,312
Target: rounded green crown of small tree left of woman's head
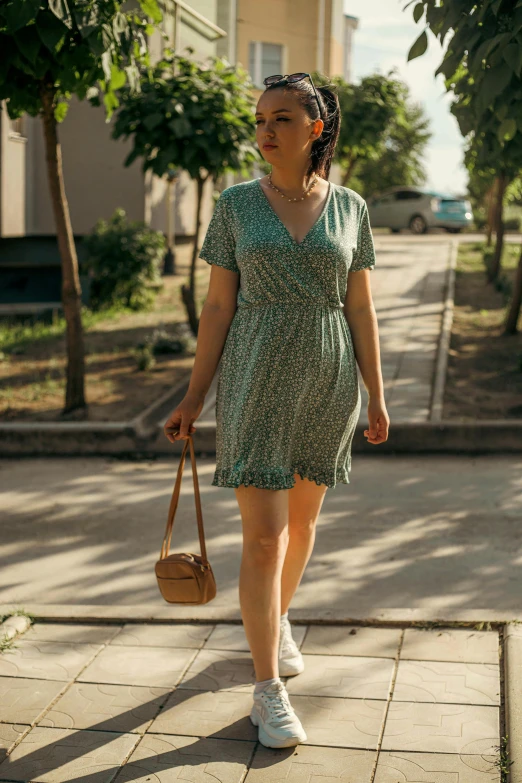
x,y
191,116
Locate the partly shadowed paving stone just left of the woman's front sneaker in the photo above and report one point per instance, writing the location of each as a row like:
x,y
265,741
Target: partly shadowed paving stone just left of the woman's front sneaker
x,y
221,714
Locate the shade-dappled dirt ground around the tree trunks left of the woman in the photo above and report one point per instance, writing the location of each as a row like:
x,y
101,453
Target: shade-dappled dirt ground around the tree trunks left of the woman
x,y
32,383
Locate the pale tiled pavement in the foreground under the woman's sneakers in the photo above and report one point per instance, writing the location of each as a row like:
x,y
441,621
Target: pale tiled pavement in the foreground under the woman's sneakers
x,y
105,703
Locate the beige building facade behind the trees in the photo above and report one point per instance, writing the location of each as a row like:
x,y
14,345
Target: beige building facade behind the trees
x,y
275,36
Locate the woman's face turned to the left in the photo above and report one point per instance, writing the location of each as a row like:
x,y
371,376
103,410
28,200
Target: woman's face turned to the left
x,y
282,123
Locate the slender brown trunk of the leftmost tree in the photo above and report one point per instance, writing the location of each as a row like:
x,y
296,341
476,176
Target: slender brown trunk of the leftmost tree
x,y
71,290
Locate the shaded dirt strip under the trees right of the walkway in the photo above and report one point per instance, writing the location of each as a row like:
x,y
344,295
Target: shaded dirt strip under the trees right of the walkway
x,y
484,379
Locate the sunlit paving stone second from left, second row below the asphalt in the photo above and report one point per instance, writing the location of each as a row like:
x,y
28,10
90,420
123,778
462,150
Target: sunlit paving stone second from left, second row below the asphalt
x,y
155,666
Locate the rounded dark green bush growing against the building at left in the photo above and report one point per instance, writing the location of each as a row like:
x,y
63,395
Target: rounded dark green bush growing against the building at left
x,y
125,262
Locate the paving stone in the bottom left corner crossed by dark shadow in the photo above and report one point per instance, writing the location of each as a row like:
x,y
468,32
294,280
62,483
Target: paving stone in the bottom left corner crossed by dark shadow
x,y
59,756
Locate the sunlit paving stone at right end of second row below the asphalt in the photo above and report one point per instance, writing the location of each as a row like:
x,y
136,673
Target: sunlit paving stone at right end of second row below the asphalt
x,y
450,683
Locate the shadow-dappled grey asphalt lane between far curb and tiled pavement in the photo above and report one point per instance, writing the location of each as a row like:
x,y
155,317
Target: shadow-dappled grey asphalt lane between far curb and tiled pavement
x,y
422,537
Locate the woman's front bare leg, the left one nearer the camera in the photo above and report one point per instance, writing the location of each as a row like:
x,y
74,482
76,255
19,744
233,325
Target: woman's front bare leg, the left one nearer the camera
x,y
264,515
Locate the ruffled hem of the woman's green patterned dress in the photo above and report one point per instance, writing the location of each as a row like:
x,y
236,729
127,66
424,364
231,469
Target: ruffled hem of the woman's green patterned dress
x,y
277,478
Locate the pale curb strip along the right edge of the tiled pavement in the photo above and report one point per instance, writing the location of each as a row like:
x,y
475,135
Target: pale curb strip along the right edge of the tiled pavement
x,y
513,698
